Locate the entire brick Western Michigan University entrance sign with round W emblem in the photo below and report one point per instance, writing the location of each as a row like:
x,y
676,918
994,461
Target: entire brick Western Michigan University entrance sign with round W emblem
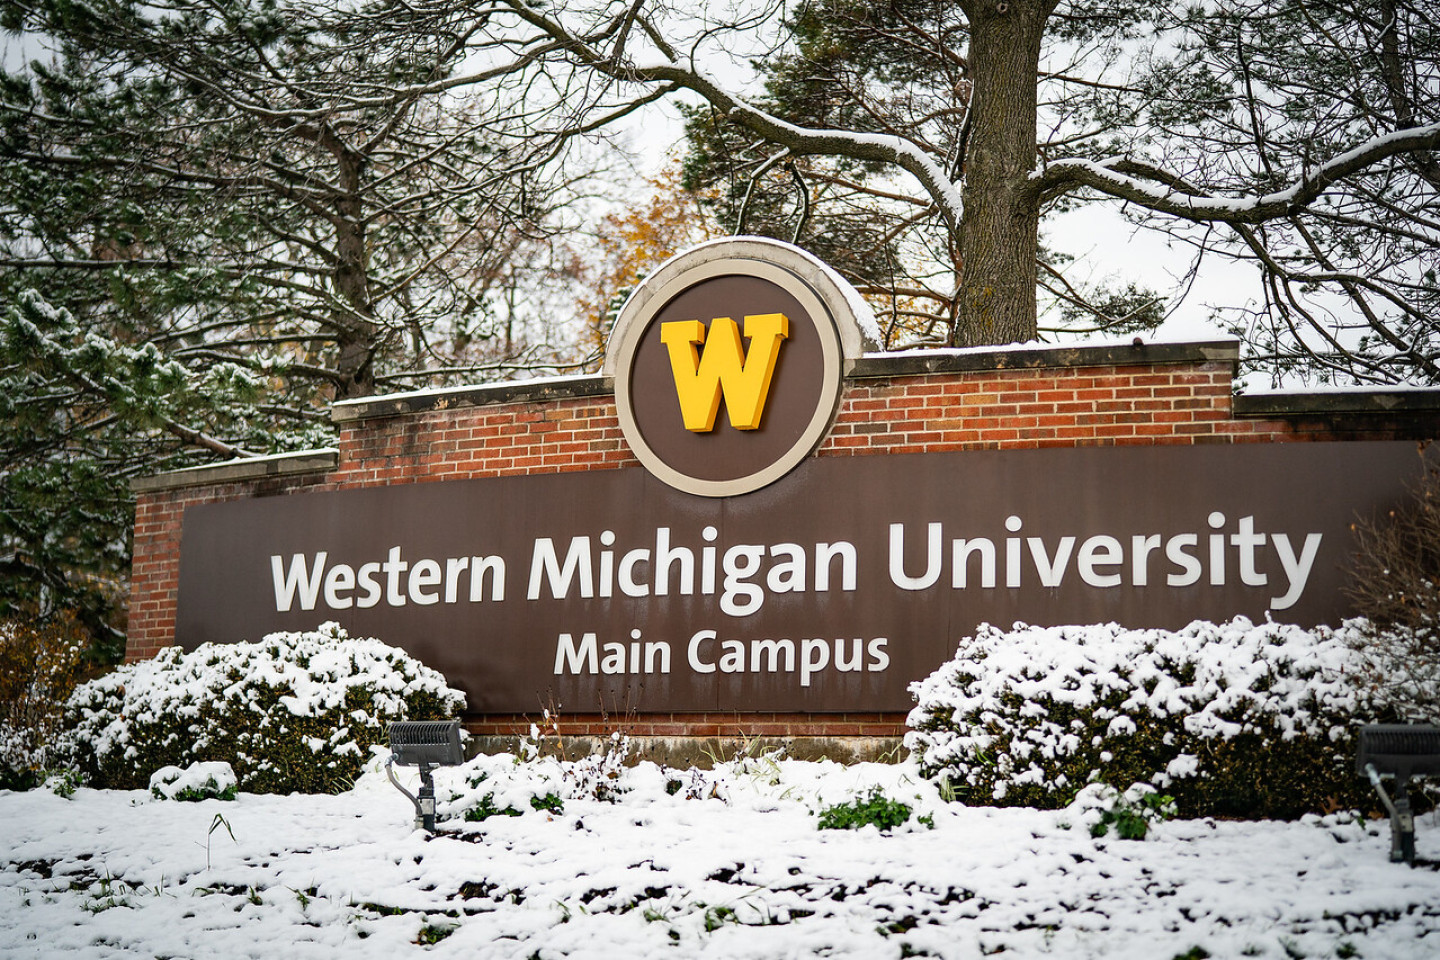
x,y
737,574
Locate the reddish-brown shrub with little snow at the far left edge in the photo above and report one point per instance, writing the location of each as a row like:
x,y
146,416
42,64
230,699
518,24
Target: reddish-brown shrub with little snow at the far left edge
x,y
40,667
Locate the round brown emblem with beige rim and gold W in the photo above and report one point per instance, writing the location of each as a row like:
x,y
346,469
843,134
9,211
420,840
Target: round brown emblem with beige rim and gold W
x,y
705,412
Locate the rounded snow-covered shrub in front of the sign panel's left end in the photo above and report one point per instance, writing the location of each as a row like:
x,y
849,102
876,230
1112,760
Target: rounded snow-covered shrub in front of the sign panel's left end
x,y
292,713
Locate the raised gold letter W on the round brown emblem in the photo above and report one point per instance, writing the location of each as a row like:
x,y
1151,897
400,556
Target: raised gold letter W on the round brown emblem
x,y
745,381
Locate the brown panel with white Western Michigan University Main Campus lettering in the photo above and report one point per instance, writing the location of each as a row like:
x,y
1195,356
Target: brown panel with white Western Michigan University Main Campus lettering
x,y
829,591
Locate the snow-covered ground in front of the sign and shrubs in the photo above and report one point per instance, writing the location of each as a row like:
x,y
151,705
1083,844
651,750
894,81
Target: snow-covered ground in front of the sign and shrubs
x,y
739,871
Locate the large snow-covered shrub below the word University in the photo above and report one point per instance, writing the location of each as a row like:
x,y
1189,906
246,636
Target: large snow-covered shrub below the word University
x,y
1230,719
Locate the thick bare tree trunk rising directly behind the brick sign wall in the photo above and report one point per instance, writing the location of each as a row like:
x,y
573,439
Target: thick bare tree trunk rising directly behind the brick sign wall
x,y
1000,232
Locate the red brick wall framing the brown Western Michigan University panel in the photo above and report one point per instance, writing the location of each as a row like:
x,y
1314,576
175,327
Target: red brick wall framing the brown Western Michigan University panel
x,y
898,404
